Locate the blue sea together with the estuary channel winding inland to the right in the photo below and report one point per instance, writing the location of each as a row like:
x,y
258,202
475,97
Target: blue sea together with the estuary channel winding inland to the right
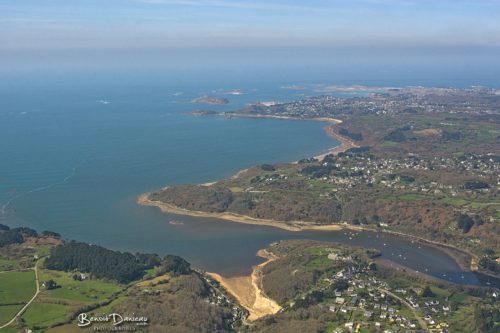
x,y
76,152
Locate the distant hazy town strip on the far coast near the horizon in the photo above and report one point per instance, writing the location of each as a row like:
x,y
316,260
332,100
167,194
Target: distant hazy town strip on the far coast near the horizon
x,y
392,101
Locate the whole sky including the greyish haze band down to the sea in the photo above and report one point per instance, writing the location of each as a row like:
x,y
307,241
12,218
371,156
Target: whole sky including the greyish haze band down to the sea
x,y
59,34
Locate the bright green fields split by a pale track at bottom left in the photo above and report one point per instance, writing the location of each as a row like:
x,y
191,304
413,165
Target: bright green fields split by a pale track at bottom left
x,y
51,306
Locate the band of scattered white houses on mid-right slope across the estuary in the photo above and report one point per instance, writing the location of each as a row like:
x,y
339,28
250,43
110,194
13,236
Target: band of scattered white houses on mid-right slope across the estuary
x,y
348,171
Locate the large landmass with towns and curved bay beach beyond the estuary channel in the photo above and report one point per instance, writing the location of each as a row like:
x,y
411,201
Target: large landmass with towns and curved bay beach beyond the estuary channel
x,y
413,161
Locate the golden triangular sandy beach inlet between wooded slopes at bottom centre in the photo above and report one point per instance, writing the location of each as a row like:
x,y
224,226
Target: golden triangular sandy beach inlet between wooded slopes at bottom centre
x,y
248,289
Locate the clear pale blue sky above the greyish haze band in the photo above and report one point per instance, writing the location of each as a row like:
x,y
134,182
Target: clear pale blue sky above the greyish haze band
x,y
57,27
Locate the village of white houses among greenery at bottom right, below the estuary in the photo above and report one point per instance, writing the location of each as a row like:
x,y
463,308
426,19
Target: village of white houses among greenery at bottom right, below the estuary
x,y
371,302
